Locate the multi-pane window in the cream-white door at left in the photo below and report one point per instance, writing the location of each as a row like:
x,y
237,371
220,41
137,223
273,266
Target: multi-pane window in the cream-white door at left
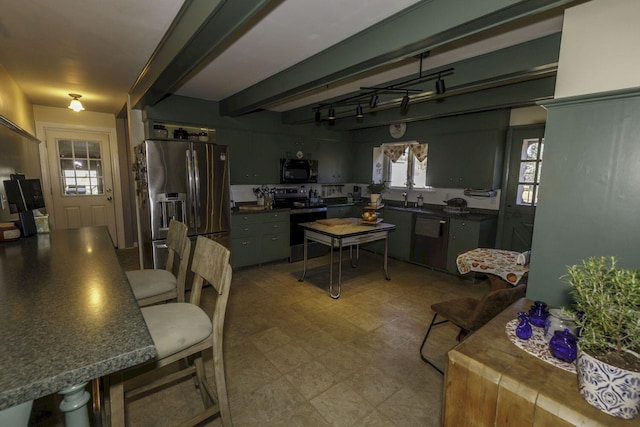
x,y
80,167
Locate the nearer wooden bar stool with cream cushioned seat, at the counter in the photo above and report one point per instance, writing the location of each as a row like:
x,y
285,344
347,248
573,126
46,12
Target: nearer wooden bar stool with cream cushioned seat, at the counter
x,y
182,332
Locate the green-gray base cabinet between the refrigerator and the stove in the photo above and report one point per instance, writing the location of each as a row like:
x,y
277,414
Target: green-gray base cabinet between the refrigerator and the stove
x,y
257,238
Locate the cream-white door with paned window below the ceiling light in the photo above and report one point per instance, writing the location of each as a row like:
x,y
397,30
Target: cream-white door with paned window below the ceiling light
x,y
81,179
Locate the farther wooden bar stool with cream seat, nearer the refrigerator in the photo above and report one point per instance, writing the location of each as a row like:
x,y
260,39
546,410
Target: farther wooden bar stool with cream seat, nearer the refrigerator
x,y
151,286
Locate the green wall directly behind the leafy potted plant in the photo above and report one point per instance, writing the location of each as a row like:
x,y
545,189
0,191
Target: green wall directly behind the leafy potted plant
x,y
589,191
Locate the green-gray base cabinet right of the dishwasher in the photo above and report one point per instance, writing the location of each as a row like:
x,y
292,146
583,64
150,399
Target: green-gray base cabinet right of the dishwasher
x,y
465,234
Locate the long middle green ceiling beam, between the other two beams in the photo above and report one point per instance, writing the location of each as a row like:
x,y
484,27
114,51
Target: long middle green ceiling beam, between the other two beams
x,y
419,28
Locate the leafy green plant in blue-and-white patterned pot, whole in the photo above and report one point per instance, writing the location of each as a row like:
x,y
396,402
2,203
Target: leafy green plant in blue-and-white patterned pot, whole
x,y
607,312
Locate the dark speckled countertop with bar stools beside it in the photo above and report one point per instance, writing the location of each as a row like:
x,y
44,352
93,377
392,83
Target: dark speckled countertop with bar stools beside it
x,y
67,314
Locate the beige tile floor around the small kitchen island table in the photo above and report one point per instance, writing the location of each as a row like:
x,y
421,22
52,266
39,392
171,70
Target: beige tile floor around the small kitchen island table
x,y
296,357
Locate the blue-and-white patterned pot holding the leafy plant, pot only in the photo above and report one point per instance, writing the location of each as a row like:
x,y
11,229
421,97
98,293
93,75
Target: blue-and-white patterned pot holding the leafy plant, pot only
x,y
613,390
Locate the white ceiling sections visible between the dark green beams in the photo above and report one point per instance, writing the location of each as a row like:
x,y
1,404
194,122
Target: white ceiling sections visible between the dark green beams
x,y
97,48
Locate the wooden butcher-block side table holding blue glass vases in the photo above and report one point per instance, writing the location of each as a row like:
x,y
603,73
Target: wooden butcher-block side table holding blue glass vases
x,y
491,382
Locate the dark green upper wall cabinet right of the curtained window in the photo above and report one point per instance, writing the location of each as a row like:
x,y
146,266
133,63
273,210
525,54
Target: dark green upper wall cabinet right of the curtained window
x,y
466,160
